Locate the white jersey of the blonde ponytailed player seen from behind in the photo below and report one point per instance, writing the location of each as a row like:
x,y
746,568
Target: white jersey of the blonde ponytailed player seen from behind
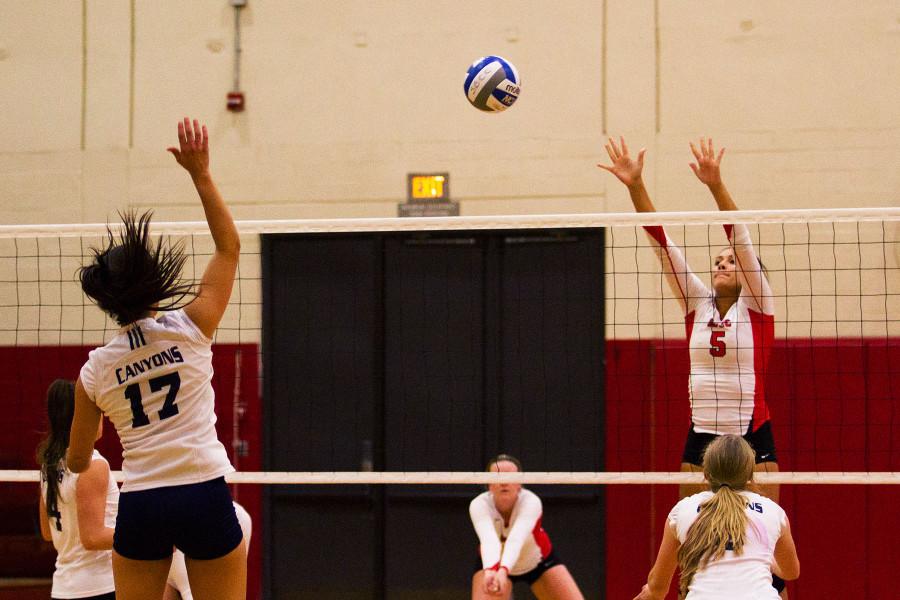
x,y
747,576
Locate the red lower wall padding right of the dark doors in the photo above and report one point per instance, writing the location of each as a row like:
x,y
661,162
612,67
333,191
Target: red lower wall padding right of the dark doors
x,y
835,406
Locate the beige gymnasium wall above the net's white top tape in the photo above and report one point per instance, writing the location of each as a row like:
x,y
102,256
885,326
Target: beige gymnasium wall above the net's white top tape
x,y
344,98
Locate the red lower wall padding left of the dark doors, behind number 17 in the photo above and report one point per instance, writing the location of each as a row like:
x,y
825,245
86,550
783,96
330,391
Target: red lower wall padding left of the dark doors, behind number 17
x,y
25,373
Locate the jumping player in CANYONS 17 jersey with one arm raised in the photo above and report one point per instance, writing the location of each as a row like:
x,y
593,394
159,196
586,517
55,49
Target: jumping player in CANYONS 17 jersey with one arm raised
x,y
153,381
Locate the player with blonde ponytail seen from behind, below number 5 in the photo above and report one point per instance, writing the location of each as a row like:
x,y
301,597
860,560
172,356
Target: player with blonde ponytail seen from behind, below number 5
x,y
727,541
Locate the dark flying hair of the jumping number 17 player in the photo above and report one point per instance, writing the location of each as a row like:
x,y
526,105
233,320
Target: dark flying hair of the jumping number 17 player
x,y
132,277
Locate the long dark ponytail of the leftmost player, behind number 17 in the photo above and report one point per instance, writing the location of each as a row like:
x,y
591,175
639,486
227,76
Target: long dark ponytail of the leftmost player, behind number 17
x,y
51,452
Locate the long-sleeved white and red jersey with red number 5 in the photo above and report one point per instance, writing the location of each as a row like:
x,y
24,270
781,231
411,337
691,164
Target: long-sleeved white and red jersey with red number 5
x,y
729,353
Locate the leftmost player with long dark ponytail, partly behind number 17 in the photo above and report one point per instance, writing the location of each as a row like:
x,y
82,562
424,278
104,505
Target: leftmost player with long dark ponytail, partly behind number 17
x,y
77,510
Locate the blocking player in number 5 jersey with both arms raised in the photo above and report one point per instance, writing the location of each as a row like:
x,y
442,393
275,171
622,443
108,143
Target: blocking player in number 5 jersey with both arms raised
x,y
730,325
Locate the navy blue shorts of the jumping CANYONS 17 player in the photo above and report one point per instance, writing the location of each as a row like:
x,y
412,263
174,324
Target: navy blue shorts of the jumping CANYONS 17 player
x,y
198,519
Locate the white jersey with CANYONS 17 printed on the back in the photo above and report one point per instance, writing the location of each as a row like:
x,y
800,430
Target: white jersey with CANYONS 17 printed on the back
x,y
153,381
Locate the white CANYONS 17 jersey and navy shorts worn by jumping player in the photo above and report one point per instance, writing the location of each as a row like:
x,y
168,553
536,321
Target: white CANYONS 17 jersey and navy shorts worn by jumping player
x,y
153,381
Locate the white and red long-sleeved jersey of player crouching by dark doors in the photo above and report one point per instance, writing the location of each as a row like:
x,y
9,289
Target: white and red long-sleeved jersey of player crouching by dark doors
x,y
518,545
